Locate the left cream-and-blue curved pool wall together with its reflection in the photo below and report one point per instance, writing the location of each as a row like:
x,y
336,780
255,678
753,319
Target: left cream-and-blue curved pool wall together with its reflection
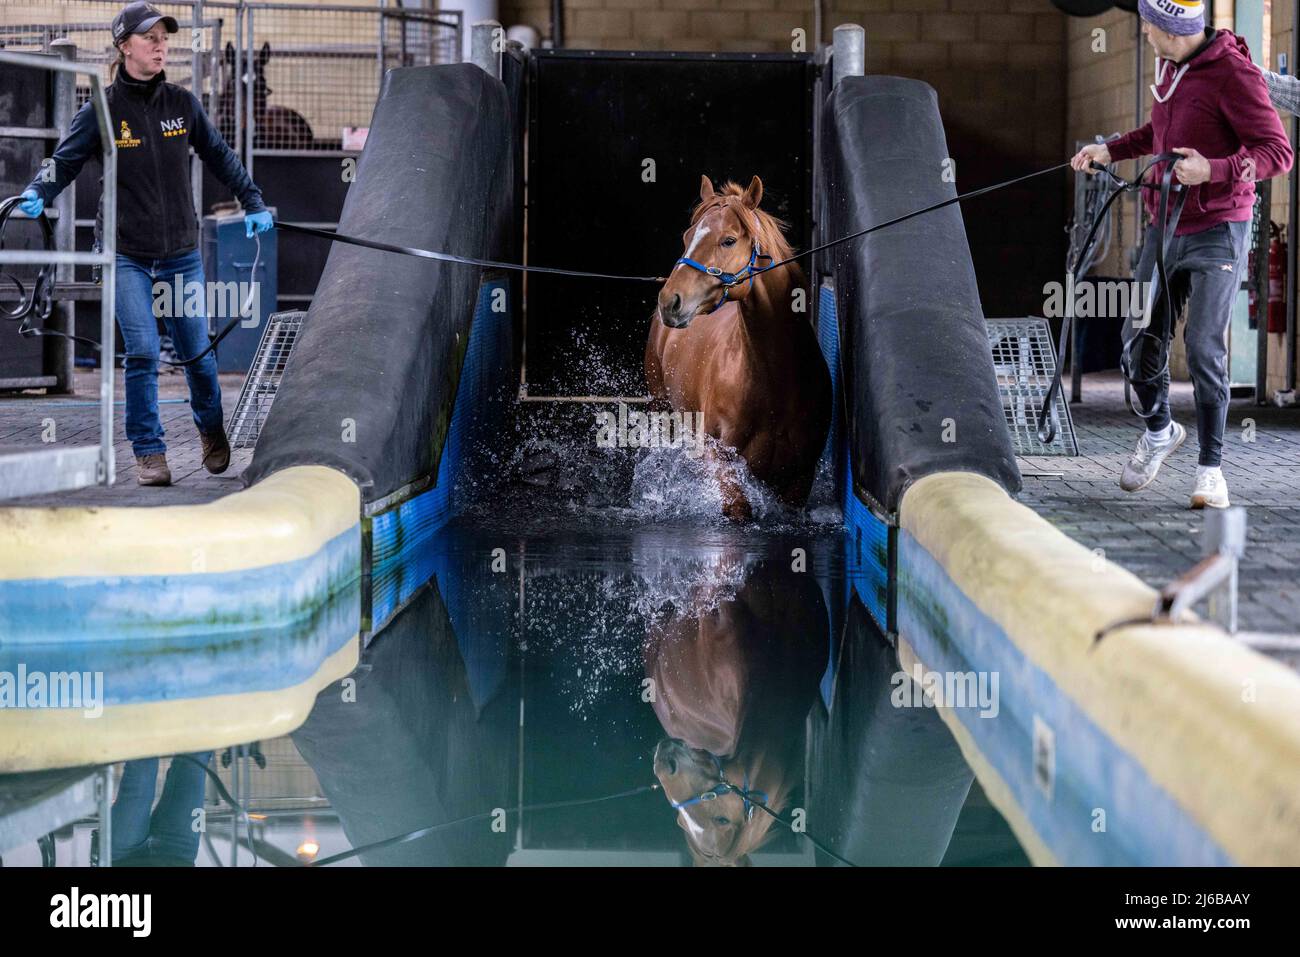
x,y
207,625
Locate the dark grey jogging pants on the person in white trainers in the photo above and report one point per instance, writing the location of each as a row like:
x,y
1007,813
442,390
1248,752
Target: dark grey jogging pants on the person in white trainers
x,y
1204,272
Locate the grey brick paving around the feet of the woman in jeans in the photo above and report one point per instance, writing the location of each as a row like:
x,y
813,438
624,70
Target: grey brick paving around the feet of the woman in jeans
x,y
27,418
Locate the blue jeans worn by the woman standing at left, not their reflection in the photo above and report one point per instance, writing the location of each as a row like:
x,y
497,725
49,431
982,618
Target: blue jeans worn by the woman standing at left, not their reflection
x,y
136,318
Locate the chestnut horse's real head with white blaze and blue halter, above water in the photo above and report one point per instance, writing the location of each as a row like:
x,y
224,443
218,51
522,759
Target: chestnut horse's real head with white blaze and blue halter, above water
x,y
722,246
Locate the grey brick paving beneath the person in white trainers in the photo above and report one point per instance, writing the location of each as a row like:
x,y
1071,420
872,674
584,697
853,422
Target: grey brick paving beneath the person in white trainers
x,y
1154,534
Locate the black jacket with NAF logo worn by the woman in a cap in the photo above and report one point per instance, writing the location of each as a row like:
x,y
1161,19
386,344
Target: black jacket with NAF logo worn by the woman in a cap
x,y
155,124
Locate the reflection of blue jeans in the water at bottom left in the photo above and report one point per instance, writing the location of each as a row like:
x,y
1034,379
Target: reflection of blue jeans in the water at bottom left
x,y
170,832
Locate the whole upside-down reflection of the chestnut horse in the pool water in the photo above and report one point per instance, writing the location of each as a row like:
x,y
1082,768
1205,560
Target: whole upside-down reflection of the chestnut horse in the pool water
x,y
735,675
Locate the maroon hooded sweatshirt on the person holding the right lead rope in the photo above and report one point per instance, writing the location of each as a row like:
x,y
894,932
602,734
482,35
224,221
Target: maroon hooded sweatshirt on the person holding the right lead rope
x,y
1217,103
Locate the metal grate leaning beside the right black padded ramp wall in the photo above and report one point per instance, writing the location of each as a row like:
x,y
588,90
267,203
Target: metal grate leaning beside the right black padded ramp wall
x,y
1025,362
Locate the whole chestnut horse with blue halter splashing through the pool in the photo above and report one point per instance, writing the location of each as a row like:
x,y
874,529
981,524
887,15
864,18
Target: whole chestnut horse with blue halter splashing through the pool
x,y
736,348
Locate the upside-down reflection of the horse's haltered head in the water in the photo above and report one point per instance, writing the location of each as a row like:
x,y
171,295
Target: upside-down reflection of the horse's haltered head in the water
x,y
721,826
